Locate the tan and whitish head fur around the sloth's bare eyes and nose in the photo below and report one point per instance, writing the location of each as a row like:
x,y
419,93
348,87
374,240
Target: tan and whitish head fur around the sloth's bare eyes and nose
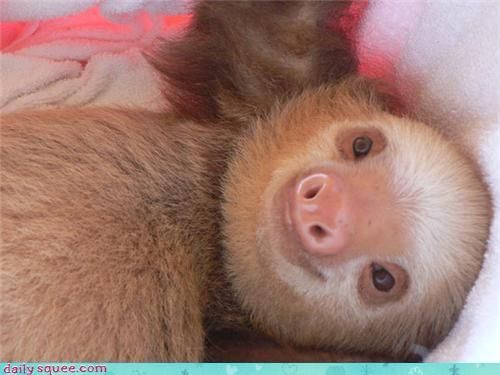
x,y
439,195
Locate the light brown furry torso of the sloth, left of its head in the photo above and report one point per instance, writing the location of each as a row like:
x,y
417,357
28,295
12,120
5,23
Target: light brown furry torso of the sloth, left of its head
x,y
105,214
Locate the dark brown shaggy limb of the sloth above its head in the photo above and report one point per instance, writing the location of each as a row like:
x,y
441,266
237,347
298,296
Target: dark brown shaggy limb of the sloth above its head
x,y
238,57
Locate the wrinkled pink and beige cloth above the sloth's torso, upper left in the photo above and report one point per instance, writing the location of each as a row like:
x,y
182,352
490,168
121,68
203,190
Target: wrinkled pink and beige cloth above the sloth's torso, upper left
x,y
82,59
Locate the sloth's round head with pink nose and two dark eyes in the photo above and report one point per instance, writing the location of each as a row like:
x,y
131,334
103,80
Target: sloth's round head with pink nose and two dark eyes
x,y
347,227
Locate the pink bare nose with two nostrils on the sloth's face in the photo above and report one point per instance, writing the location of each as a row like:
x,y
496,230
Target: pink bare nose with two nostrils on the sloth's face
x,y
320,214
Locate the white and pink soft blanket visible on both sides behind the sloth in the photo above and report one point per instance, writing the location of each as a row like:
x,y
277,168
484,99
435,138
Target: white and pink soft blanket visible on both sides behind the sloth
x,y
444,57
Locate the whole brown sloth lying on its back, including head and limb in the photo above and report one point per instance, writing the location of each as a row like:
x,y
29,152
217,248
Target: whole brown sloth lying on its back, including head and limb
x,y
298,207
